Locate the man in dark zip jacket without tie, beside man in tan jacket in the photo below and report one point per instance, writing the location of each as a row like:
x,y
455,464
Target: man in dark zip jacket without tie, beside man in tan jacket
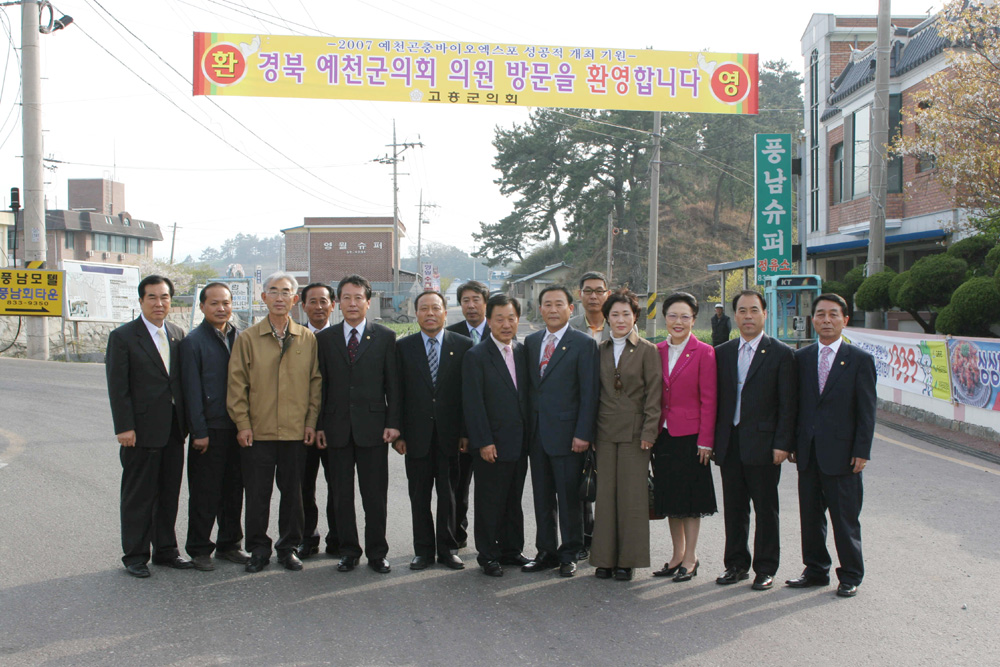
x,y
215,481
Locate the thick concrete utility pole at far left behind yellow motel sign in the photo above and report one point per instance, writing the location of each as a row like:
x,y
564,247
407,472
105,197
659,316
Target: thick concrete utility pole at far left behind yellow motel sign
x,y
34,198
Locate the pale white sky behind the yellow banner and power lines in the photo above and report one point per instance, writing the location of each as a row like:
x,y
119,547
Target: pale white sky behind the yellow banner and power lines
x,y
117,103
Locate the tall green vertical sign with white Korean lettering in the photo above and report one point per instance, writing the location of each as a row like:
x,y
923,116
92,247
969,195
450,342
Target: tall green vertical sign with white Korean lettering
x,y
773,204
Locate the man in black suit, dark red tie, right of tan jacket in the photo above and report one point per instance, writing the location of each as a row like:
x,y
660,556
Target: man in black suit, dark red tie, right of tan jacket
x,y
360,418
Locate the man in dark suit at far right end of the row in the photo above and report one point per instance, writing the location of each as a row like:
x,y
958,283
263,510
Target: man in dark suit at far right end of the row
x,y
836,424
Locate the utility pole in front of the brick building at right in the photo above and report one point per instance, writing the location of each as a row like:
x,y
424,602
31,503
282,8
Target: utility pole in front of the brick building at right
x,y
877,164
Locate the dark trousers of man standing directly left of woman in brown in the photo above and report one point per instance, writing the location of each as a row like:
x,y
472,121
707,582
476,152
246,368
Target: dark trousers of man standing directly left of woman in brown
x,y
555,487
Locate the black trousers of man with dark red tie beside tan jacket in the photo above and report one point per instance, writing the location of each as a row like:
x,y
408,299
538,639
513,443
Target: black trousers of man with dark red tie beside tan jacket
x,y
373,479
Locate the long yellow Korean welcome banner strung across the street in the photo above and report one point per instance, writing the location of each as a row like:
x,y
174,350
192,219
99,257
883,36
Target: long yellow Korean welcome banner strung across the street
x,y
479,74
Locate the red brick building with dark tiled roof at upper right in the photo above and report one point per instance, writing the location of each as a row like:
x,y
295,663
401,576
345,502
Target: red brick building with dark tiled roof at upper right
x,y
921,215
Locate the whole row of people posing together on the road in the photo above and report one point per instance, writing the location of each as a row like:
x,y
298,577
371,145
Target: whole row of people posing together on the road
x,y
471,401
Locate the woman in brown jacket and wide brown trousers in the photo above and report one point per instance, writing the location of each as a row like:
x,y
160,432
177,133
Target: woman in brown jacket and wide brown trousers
x,y
627,425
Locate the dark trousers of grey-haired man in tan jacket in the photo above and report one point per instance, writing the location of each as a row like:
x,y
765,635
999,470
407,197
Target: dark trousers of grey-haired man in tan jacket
x,y
264,463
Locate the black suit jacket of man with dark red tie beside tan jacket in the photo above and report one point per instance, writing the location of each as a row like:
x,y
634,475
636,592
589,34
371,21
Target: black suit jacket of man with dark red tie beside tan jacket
x,y
360,398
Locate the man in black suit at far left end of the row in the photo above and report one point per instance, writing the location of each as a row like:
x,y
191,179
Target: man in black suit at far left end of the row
x,y
147,406
